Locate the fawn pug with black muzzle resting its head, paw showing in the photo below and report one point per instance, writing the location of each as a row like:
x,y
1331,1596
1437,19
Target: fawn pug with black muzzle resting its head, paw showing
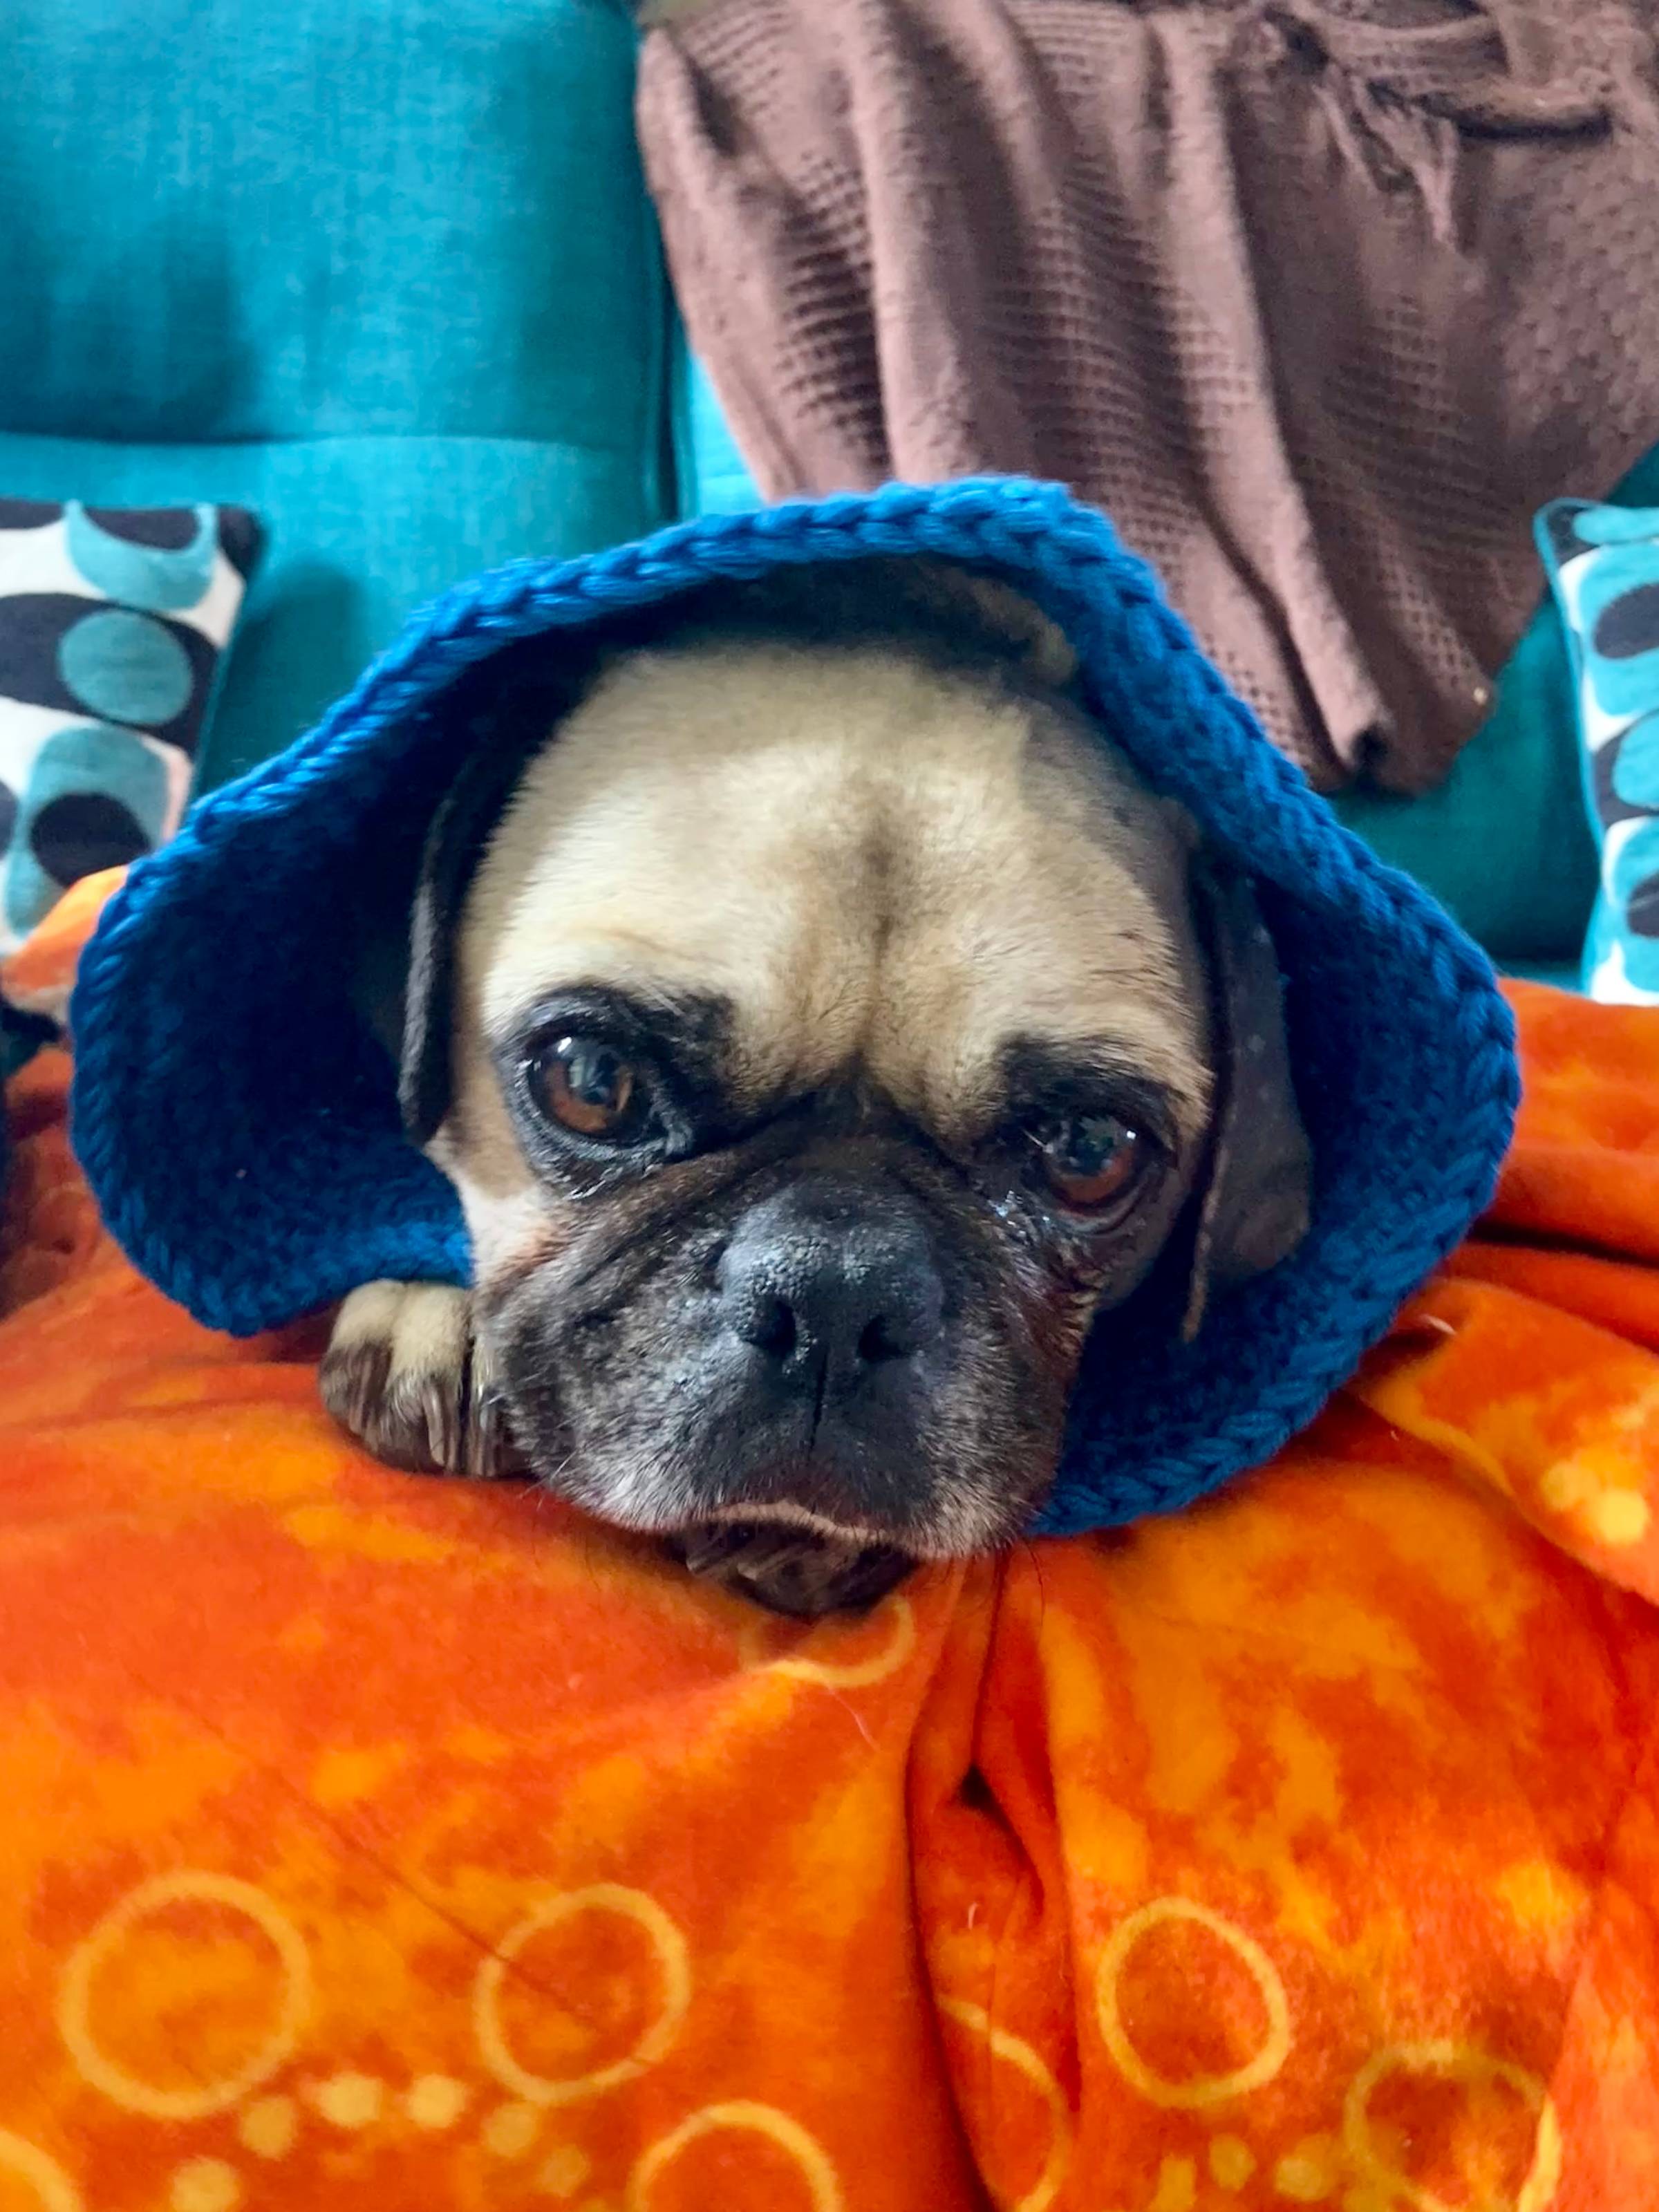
x,y
826,1030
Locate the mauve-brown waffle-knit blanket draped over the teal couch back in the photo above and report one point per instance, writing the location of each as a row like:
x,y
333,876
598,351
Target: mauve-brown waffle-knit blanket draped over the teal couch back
x,y
1319,298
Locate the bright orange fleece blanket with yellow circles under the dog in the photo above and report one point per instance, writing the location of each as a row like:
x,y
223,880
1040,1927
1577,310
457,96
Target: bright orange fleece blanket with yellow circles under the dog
x,y
395,1846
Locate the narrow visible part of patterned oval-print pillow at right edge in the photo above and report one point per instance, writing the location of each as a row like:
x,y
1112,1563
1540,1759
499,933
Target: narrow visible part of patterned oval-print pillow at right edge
x,y
1605,567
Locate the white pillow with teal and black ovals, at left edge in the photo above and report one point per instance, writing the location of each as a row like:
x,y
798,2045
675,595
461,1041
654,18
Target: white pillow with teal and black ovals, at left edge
x,y
112,629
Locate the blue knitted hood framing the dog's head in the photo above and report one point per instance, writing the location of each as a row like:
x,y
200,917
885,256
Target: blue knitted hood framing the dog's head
x,y
242,1131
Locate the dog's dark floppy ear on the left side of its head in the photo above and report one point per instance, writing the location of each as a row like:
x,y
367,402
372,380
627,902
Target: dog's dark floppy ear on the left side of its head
x,y
503,733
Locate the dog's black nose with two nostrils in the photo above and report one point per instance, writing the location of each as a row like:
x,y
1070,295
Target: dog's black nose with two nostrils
x,y
833,1282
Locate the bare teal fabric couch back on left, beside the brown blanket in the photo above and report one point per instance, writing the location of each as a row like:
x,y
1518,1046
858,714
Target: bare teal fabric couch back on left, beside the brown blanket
x,y
382,271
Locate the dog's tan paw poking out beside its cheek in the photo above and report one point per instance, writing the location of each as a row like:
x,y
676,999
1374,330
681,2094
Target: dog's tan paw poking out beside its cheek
x,y
406,1375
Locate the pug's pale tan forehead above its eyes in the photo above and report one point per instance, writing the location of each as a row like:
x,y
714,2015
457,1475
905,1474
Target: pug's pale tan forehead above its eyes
x,y
870,862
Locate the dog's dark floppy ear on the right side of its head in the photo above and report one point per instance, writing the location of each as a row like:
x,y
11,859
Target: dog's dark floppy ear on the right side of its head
x,y
1260,1189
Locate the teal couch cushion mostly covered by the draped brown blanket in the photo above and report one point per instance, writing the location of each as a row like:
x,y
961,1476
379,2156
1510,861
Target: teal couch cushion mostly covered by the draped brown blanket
x,y
1503,842
